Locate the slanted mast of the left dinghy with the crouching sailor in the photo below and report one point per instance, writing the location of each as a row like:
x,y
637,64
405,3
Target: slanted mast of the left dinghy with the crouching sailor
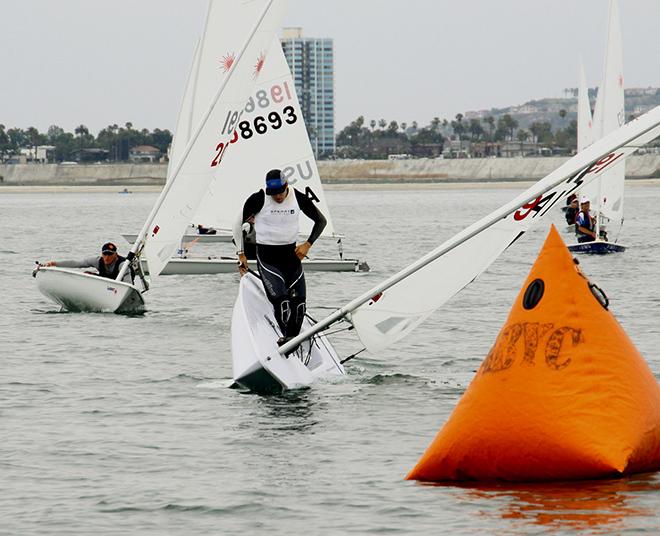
x,y
139,242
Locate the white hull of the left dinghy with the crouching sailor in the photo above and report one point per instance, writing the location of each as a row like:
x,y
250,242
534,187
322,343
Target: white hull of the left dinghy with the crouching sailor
x,y
80,292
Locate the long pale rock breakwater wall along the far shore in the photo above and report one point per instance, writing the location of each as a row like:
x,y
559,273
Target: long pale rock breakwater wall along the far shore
x,y
335,171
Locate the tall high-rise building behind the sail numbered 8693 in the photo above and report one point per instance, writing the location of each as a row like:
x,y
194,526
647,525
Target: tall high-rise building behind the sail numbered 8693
x,y
311,61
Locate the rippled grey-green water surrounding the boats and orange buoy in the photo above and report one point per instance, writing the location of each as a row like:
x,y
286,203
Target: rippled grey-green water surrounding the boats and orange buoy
x,y
118,425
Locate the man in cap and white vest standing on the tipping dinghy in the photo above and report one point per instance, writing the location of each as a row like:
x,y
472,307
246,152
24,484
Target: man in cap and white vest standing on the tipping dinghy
x,y
276,212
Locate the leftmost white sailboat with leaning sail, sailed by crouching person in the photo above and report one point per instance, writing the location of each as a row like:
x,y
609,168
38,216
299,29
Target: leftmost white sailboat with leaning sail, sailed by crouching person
x,y
249,29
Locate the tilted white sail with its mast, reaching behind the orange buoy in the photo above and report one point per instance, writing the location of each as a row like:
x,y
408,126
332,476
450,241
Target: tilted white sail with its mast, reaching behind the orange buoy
x,y
391,310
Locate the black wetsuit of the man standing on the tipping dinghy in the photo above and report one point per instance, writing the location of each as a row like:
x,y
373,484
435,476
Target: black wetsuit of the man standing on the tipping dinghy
x,y
280,269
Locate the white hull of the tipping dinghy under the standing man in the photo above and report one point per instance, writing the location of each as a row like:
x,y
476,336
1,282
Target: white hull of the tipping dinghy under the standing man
x,y
257,364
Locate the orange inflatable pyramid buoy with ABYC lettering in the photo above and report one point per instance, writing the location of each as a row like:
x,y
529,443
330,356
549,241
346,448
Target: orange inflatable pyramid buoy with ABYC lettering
x,y
562,395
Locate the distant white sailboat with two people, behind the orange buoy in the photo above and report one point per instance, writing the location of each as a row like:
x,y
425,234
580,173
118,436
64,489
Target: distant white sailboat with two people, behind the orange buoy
x,y
606,194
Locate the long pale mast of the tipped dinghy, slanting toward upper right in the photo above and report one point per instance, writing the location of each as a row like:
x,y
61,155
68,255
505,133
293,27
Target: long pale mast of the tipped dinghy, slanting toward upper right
x,y
629,137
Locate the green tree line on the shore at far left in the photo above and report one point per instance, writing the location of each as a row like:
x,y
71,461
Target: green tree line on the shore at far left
x,y
115,139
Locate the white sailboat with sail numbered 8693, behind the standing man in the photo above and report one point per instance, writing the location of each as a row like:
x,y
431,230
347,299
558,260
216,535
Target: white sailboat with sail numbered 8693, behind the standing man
x,y
272,134
